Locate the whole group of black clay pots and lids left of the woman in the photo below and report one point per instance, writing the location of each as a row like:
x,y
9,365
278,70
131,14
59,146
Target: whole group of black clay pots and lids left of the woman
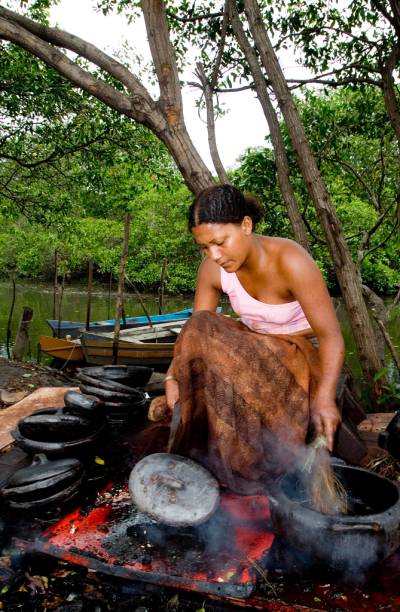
x,y
61,439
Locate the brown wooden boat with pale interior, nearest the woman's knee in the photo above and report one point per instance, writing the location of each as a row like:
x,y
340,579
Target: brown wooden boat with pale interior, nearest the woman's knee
x,y
151,346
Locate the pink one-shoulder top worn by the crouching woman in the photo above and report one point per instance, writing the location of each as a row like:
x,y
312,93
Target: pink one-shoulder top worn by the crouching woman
x,y
260,317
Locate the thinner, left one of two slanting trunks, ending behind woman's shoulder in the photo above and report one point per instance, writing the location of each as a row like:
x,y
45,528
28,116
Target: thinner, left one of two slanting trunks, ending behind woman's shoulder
x,y
282,164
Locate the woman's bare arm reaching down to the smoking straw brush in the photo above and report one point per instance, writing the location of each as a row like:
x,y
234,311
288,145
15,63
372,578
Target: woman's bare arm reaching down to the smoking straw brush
x,y
308,287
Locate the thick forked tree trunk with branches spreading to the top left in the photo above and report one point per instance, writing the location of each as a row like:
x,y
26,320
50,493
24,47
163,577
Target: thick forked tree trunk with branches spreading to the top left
x,y
164,118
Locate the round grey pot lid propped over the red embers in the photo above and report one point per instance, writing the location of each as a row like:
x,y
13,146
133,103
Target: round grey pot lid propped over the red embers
x,y
174,490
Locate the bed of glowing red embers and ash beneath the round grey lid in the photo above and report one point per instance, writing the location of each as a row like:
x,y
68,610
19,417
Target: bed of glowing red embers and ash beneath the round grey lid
x,y
214,557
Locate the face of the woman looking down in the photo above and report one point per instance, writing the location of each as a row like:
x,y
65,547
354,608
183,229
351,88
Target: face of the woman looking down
x,y
225,243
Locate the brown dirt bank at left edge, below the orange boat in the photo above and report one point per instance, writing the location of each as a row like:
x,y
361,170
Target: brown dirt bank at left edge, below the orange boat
x,y
28,376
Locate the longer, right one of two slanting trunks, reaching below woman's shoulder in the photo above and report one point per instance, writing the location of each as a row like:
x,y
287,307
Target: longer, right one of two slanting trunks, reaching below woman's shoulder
x,y
344,266
